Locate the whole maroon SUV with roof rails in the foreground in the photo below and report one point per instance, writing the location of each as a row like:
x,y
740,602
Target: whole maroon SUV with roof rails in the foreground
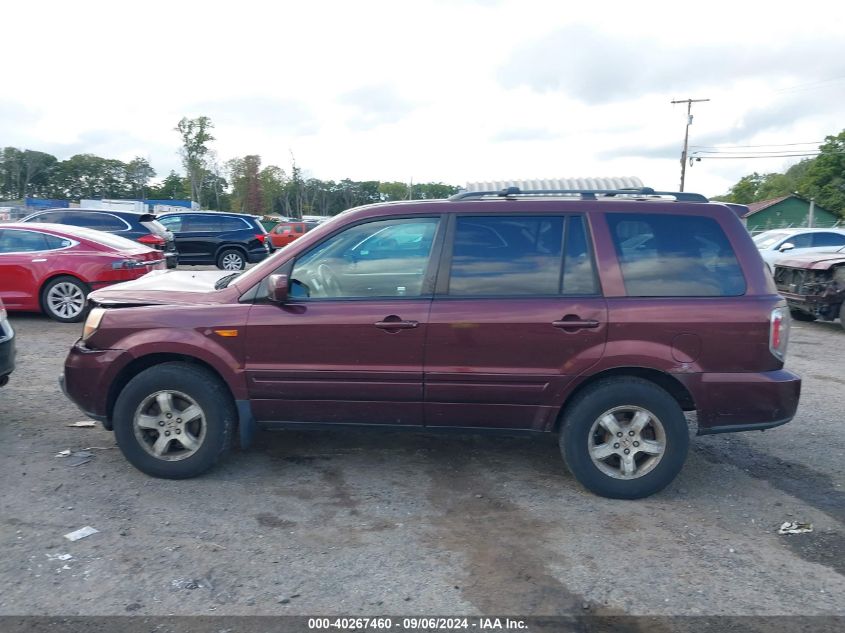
x,y
600,316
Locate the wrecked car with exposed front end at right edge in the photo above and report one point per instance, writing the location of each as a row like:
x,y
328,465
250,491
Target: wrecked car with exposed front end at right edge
x,y
814,286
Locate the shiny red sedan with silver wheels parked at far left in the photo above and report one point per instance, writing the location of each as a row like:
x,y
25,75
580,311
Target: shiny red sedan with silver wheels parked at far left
x,y
52,268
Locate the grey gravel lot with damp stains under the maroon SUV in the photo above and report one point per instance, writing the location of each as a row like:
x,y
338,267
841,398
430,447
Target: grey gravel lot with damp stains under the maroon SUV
x,y
352,522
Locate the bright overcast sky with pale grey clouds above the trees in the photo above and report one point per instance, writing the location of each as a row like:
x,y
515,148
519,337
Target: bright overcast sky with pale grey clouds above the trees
x,y
430,90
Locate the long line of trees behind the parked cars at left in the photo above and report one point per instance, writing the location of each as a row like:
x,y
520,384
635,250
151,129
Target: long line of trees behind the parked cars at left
x,y
240,184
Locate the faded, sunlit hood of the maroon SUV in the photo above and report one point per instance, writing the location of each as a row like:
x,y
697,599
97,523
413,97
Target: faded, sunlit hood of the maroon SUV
x,y
158,287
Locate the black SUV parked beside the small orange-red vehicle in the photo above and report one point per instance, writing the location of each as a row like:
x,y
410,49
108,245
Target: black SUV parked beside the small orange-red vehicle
x,y
226,240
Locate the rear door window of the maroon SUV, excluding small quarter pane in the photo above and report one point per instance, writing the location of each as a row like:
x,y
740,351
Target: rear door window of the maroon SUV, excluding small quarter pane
x,y
507,255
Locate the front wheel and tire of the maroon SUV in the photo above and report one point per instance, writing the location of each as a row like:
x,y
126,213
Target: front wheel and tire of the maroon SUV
x,y
152,442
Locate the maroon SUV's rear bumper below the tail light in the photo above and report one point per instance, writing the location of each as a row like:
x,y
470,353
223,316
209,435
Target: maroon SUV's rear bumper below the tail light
x,y
729,403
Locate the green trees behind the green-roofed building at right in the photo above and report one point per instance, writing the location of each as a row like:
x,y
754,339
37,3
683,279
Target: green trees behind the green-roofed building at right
x,y
821,177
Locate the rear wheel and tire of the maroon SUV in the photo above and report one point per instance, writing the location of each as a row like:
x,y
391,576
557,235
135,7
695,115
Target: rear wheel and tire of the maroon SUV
x,y
623,402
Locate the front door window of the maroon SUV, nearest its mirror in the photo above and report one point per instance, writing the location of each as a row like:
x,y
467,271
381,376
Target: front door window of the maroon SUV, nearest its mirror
x,y
388,258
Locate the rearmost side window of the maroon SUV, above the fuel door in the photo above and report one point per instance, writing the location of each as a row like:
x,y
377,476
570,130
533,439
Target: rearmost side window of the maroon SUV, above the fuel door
x,y
675,256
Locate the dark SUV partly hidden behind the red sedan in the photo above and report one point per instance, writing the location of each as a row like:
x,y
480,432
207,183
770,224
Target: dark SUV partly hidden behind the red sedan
x,y
133,225
